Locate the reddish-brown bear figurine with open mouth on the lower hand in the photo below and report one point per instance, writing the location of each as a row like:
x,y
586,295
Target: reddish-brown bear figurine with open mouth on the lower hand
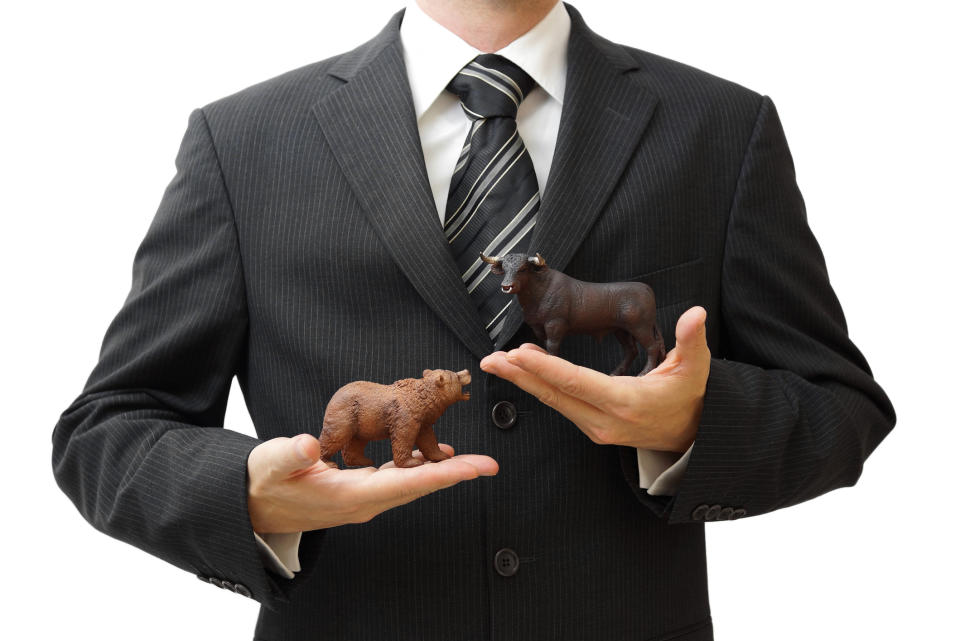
x,y
404,412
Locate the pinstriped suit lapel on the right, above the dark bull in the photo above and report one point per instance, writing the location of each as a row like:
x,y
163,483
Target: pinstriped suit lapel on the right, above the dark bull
x,y
604,114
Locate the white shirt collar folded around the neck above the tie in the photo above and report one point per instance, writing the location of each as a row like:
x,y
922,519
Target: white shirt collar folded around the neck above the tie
x,y
433,54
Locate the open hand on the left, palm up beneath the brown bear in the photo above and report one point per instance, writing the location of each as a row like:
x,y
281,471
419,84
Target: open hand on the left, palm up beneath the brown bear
x,y
291,490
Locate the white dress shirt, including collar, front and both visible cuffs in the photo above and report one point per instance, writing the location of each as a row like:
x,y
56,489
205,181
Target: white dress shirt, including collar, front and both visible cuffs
x,y
433,55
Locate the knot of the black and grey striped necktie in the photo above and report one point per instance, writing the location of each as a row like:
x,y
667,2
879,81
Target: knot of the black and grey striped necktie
x,y
490,85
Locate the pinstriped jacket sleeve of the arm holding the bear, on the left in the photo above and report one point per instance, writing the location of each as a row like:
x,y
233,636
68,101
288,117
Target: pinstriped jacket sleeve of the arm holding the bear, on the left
x,y
142,451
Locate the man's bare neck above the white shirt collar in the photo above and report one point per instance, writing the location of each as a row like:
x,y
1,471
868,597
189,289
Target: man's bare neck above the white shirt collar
x,y
487,25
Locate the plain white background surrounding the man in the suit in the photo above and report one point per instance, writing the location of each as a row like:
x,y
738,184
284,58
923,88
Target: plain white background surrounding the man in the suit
x,y
95,101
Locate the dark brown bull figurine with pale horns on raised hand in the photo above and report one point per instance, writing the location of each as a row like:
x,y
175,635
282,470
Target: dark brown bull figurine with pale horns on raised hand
x,y
555,305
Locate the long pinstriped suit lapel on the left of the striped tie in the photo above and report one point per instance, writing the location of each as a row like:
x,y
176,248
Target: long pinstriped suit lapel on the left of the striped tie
x,y
370,125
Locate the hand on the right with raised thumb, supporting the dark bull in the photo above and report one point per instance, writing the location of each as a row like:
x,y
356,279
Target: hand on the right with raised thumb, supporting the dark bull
x,y
658,411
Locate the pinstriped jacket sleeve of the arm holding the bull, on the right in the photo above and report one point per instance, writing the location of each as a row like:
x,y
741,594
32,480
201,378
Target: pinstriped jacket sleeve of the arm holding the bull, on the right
x,y
791,409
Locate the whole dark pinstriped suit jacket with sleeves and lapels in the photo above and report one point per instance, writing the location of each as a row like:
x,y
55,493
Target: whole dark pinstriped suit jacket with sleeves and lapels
x,y
298,248
